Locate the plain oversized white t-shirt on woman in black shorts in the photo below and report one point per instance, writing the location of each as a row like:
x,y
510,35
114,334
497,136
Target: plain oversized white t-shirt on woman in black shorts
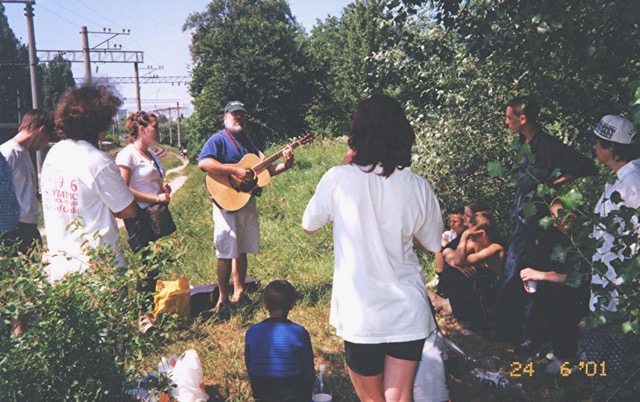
x,y
379,292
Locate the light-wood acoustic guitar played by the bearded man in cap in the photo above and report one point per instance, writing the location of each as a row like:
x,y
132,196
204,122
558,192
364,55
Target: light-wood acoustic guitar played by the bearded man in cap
x,y
230,193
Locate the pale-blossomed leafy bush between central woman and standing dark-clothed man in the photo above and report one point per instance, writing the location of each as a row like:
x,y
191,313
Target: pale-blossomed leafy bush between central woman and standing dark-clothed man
x,y
455,102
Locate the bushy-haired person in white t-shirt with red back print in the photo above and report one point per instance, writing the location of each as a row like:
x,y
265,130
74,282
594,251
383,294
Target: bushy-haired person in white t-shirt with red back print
x,y
81,184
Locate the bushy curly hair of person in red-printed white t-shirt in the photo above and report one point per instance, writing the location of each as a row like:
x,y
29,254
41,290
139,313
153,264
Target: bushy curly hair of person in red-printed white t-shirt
x,y
83,113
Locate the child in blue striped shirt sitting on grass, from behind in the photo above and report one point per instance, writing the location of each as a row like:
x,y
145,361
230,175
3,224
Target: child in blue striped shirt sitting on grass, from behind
x,y
277,351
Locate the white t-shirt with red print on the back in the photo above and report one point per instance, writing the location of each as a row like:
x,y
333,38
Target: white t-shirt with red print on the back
x,y
80,182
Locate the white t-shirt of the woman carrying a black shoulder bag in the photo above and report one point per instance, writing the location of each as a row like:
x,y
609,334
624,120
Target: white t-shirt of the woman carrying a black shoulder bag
x,y
145,176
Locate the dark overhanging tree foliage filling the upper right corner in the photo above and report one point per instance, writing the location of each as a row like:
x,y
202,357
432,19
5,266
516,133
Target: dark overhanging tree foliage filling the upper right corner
x,y
577,56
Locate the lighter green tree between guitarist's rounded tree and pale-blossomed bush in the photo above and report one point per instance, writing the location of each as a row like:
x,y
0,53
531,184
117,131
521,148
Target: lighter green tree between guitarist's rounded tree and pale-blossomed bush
x,y
341,50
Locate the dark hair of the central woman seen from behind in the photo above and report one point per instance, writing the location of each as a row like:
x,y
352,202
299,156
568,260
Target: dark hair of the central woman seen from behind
x,y
380,134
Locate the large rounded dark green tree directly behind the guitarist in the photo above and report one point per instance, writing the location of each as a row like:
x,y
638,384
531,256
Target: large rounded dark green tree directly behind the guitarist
x,y
254,51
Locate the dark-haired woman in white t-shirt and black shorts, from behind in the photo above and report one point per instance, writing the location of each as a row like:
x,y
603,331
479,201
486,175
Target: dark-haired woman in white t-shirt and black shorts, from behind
x,y
379,208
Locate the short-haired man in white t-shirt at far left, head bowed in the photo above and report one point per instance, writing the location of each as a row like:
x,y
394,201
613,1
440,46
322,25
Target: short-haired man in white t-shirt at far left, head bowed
x,y
34,134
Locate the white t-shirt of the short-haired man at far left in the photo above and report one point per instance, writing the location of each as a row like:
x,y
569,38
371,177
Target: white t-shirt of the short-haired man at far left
x,y
25,181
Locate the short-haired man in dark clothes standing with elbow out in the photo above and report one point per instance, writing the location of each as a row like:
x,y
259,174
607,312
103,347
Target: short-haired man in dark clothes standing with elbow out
x,y
549,154
